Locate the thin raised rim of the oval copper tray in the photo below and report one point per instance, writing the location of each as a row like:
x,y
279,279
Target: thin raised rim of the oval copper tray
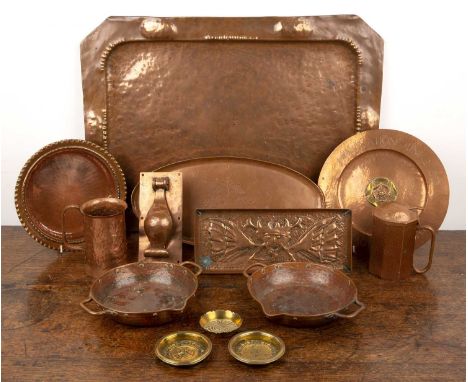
x,y
135,207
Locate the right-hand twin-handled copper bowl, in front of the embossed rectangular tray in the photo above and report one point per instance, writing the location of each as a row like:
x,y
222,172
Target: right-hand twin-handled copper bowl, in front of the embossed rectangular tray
x,y
301,293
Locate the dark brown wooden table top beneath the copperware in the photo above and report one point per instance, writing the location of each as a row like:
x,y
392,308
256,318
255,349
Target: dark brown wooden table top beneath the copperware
x,y
410,330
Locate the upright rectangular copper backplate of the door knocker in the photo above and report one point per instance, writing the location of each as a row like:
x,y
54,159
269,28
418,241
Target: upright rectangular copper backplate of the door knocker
x,y
171,205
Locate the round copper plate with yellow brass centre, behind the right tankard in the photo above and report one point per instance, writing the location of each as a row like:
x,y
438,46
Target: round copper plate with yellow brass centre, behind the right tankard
x,y
379,166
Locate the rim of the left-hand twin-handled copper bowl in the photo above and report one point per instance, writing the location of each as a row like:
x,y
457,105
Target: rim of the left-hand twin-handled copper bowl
x,y
115,270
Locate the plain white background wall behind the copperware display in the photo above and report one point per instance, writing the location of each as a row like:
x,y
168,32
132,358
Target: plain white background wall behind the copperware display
x,y
424,89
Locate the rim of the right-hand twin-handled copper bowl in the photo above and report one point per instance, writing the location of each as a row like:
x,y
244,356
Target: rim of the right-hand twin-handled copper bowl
x,y
302,315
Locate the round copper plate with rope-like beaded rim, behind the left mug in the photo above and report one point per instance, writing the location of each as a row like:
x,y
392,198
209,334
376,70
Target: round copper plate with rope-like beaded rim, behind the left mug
x,y
62,173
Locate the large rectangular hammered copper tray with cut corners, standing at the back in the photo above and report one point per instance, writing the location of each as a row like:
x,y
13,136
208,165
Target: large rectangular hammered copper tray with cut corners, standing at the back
x,y
286,90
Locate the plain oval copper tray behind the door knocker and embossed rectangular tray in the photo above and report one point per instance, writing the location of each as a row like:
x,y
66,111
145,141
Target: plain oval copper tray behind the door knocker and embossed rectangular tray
x,y
229,183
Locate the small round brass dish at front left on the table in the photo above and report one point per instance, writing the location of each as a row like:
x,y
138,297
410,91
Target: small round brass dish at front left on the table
x,y
183,348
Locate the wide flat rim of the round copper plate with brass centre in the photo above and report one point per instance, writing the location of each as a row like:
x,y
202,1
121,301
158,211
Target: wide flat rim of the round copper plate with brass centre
x,y
426,160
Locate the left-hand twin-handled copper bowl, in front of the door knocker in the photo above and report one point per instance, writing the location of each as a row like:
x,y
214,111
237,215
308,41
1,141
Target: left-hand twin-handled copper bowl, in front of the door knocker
x,y
144,293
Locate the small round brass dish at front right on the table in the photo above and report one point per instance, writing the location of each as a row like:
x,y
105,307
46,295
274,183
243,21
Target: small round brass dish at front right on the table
x,y
256,347
